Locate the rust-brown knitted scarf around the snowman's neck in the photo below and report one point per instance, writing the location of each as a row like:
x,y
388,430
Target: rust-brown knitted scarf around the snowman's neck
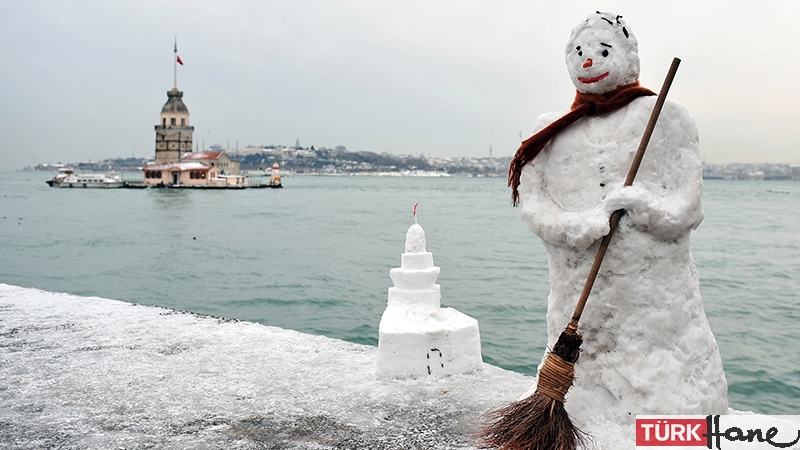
x,y
584,105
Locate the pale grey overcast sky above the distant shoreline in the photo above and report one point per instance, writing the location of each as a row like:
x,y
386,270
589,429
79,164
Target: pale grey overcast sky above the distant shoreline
x,y
87,79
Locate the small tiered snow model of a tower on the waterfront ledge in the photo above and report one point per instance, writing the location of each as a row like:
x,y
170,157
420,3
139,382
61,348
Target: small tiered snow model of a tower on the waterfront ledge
x,y
416,336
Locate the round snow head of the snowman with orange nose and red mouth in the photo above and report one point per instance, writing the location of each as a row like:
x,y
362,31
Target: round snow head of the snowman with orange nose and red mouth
x,y
602,54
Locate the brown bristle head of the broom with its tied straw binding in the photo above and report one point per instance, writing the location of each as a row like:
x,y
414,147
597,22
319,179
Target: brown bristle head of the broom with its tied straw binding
x,y
540,421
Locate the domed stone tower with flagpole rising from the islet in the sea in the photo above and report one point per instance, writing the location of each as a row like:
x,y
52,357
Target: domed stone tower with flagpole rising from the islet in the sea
x,y
173,133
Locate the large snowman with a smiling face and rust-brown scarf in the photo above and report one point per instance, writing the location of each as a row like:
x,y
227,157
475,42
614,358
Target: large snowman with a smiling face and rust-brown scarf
x,y
648,347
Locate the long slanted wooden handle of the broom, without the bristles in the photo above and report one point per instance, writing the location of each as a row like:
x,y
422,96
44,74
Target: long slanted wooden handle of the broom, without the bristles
x,y
637,161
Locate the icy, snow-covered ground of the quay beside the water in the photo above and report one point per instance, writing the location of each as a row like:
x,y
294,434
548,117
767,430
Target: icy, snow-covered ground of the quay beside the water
x,y
92,373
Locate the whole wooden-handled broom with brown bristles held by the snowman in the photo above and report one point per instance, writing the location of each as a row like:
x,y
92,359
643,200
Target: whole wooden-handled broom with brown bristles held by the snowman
x,y
540,422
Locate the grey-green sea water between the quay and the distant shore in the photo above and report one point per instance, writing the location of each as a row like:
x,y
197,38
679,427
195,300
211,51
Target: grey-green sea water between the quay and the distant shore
x,y
315,257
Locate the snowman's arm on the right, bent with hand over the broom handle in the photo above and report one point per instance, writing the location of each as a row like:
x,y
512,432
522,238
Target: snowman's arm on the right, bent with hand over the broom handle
x,y
667,202
